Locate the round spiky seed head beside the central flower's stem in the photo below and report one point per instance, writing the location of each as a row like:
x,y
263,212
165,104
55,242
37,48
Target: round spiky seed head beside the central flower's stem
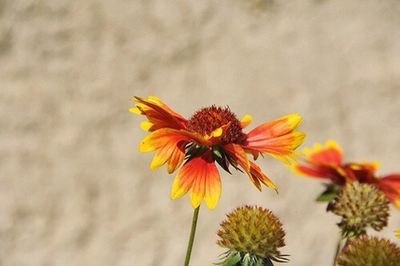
x,y
253,235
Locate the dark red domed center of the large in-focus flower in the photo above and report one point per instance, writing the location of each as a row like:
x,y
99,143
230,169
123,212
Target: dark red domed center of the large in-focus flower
x,y
207,119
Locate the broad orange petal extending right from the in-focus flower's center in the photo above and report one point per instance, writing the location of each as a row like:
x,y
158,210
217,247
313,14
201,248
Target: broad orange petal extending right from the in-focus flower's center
x,y
276,137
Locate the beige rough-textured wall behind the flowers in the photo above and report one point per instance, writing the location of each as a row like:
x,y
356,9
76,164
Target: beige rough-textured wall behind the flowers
x,y
74,189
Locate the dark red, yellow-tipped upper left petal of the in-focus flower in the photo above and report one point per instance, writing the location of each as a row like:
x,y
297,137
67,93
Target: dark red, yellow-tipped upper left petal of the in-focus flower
x,y
158,113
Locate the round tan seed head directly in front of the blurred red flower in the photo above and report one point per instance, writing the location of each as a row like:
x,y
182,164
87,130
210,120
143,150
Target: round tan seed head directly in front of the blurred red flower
x,y
360,206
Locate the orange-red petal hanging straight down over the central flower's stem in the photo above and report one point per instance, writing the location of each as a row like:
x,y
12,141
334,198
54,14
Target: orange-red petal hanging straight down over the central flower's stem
x,y
201,177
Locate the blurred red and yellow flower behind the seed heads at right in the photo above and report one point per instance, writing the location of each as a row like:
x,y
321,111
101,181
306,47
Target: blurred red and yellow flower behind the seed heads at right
x,y
326,162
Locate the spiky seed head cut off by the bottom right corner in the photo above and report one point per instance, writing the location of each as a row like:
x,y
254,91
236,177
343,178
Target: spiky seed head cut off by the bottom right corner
x,y
365,251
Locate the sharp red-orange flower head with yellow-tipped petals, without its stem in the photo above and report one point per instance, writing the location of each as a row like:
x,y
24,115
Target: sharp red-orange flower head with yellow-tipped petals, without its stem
x,y
212,135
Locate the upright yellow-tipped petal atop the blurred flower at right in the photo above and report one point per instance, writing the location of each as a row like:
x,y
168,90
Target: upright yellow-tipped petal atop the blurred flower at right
x,y
328,154
